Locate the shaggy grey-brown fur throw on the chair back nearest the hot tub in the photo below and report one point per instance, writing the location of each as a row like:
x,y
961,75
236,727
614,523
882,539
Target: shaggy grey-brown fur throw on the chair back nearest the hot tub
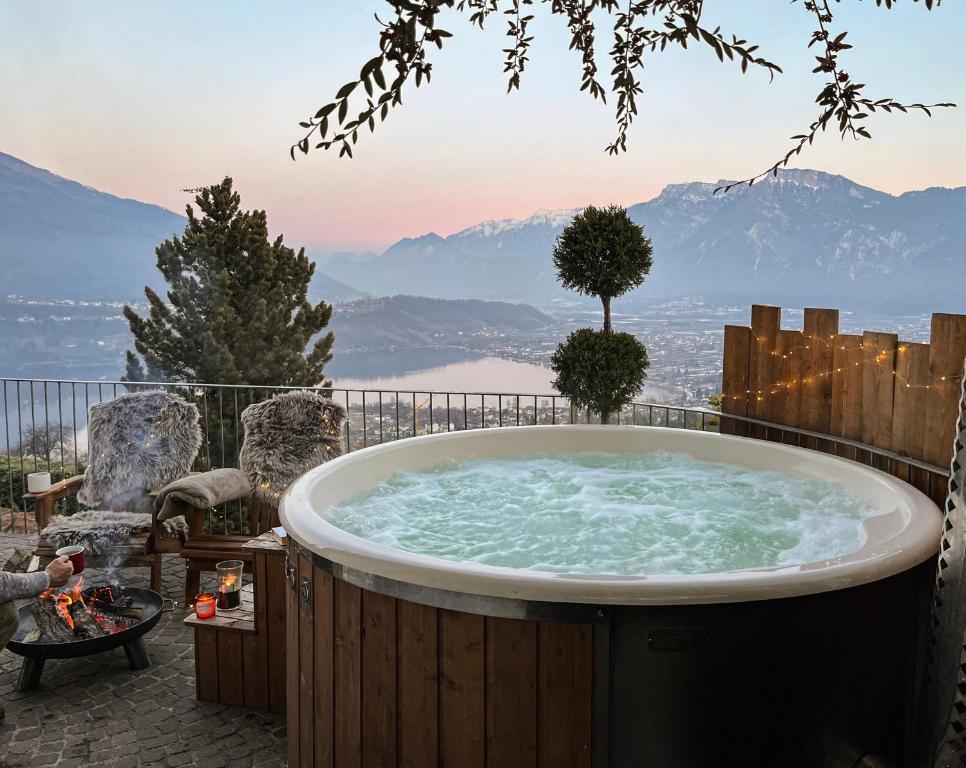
x,y
285,437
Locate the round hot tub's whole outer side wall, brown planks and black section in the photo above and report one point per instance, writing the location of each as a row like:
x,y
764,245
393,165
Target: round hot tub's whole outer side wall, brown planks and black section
x,y
379,679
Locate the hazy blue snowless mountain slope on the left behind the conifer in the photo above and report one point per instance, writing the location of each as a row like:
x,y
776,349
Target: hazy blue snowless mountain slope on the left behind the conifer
x,y
63,240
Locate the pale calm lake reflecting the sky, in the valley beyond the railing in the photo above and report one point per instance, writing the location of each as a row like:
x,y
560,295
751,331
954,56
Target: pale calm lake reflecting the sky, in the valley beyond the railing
x,y
468,374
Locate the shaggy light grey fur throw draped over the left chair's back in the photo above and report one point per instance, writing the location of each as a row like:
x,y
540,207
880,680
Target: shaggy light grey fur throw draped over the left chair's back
x,y
138,442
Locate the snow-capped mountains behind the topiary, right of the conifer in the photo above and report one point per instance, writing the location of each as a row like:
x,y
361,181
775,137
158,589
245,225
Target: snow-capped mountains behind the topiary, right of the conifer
x,y
805,237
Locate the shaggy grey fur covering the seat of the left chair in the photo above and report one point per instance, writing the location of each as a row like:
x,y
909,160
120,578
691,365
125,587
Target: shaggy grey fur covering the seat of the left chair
x,y
99,530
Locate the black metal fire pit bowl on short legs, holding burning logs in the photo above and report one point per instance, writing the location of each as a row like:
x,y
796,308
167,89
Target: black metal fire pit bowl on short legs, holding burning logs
x,y
131,638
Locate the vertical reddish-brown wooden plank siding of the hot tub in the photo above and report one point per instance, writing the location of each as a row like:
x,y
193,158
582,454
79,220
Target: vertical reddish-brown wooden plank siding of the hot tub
x,y
381,682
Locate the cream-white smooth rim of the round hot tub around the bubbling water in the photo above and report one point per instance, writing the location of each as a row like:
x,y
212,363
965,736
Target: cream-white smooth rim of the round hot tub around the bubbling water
x,y
903,534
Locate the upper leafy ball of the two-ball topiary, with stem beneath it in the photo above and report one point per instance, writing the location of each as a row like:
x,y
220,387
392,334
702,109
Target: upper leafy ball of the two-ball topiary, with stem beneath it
x,y
602,253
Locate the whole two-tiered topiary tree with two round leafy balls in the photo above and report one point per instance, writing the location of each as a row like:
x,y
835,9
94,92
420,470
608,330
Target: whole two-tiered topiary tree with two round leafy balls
x,y
601,253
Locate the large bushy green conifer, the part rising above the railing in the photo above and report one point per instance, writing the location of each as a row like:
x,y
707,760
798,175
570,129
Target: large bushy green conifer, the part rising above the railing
x,y
237,310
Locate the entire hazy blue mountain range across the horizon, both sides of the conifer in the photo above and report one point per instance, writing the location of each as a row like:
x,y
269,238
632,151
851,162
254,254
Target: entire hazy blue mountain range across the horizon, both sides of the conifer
x,y
803,237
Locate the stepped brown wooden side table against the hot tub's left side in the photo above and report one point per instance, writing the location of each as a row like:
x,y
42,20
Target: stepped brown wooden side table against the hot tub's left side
x,y
240,655
